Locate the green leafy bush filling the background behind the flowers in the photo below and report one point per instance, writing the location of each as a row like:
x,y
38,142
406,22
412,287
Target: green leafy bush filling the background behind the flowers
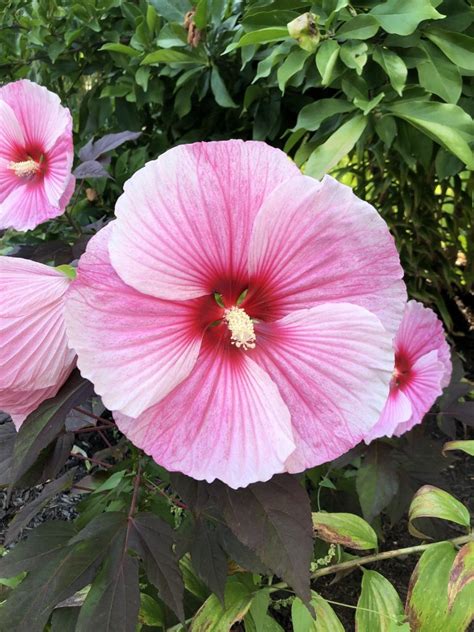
x,y
378,92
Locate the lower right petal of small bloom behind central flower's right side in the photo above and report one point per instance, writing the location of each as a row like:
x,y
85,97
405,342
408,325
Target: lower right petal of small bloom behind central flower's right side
x,y
422,389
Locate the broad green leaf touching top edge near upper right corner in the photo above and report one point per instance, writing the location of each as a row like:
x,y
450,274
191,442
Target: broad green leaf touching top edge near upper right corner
x,y
403,16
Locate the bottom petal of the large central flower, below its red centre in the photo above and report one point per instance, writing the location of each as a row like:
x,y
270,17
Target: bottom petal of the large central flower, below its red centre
x,y
226,421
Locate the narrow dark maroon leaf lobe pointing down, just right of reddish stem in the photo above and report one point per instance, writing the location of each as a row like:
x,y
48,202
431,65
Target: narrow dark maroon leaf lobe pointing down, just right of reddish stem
x,y
153,540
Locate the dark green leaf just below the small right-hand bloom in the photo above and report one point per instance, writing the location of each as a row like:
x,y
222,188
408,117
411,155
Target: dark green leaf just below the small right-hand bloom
x,y
377,480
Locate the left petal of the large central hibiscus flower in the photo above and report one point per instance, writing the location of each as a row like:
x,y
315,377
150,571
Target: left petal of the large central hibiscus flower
x,y
134,348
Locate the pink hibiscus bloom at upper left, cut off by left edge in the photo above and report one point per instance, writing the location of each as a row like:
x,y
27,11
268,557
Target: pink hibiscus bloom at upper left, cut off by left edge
x,y
36,155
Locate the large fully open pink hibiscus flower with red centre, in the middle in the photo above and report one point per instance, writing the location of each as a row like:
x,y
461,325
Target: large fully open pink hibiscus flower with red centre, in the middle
x,y
224,314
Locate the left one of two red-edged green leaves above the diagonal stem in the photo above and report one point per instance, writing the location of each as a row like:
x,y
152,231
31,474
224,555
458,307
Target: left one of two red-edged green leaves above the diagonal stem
x,y
345,529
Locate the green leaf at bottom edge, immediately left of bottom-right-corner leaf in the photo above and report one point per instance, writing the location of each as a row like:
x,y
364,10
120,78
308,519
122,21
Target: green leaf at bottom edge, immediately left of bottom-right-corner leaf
x,y
379,606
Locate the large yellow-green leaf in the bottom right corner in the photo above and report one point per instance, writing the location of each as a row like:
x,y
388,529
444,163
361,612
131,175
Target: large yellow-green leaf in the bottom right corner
x,y
427,602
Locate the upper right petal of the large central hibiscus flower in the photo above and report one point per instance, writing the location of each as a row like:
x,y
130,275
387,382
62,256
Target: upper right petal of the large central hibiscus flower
x,y
316,242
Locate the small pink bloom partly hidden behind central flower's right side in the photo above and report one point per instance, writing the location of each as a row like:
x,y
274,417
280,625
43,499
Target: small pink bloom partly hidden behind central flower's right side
x,y
422,370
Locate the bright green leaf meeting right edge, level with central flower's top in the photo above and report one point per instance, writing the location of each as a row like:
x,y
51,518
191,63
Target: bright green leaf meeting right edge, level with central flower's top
x,y
447,124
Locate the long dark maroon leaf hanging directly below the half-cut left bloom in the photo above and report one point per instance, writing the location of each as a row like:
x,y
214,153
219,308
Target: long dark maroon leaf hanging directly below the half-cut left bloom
x,y
46,422
